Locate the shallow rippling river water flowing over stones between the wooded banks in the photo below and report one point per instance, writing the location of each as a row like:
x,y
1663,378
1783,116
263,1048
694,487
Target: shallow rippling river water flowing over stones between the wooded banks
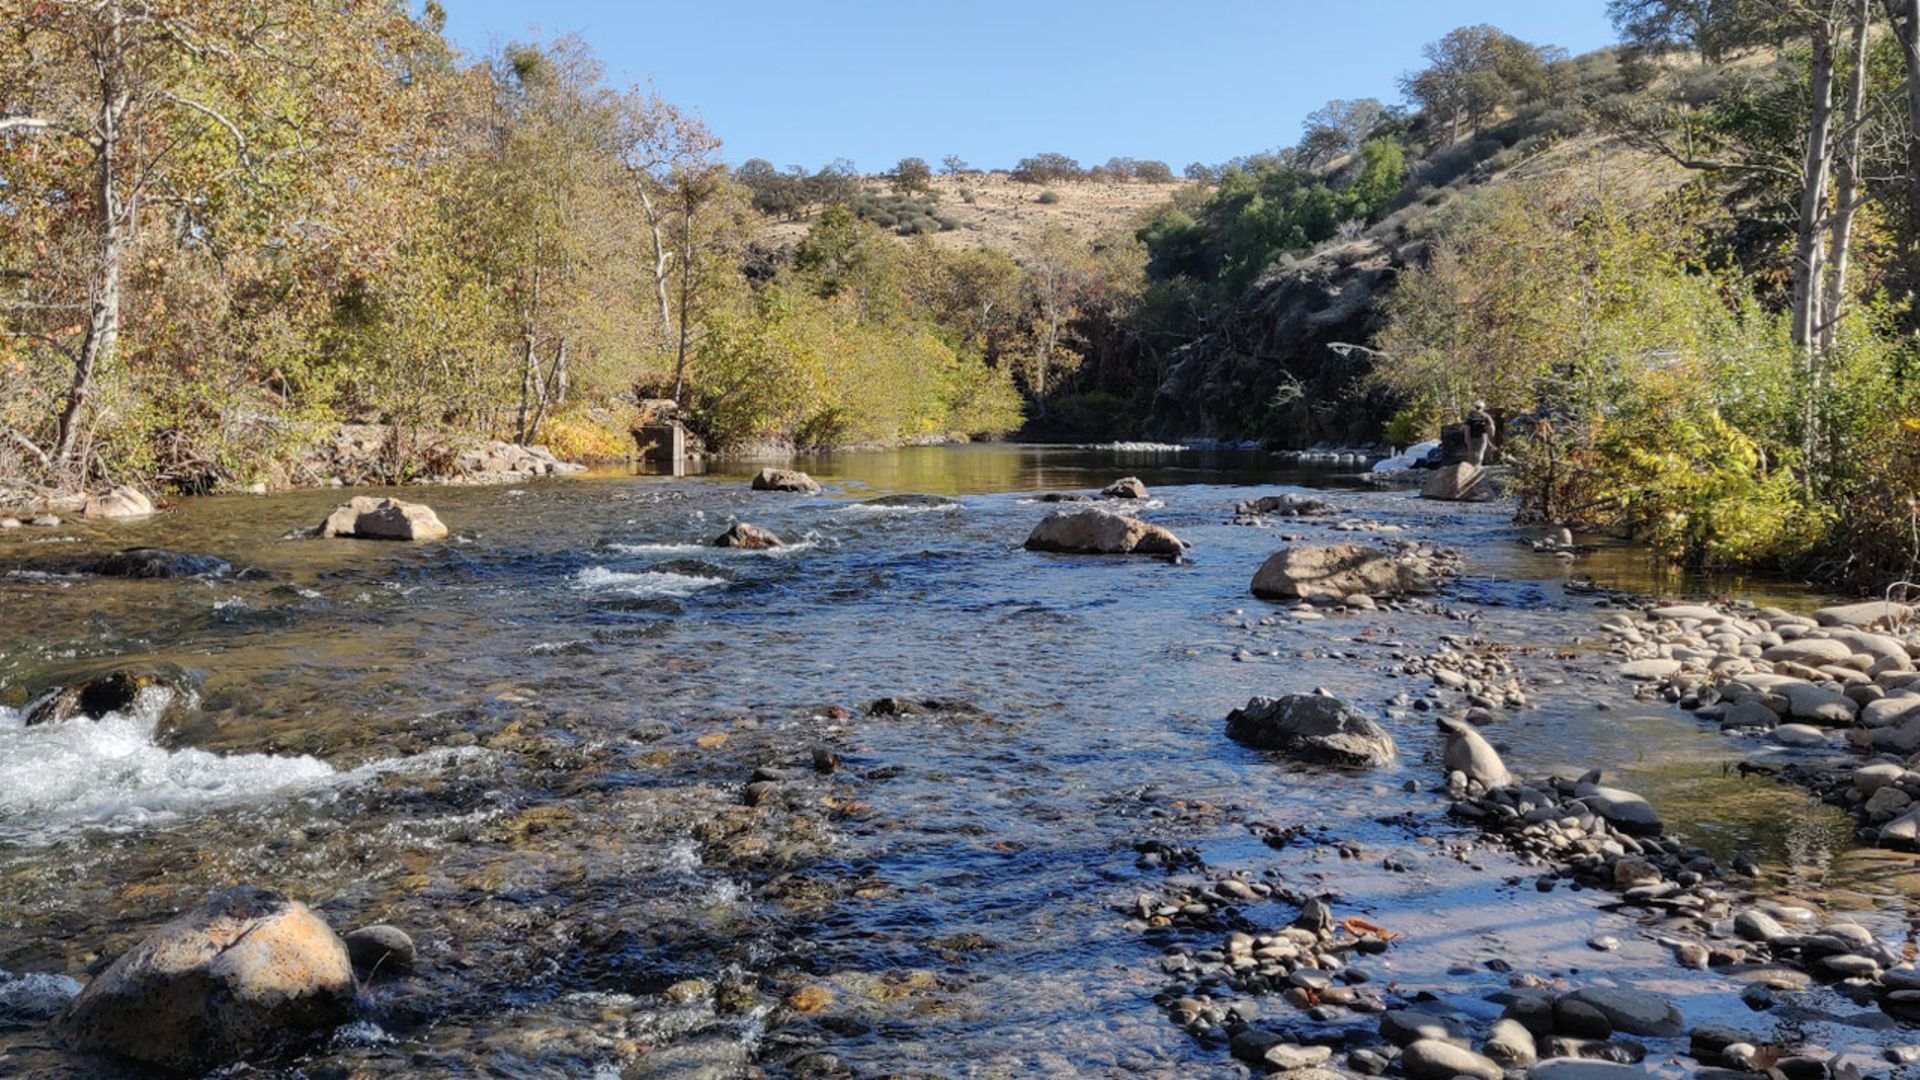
x,y
531,747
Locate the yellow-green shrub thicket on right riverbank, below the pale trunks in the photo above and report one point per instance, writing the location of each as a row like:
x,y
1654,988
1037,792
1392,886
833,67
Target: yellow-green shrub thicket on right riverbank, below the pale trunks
x,y
1648,393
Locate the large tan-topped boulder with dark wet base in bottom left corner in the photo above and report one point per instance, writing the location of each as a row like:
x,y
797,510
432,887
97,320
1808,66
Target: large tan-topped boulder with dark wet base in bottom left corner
x,y
231,979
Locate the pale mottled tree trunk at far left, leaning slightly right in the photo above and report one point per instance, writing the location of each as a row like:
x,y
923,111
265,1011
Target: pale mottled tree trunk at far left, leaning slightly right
x,y
110,253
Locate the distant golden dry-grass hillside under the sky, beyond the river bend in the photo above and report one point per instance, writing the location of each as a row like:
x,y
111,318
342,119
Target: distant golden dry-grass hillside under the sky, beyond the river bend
x,y
992,210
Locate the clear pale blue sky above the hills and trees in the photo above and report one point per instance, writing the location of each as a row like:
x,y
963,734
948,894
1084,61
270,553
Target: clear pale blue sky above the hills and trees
x,y
996,82
